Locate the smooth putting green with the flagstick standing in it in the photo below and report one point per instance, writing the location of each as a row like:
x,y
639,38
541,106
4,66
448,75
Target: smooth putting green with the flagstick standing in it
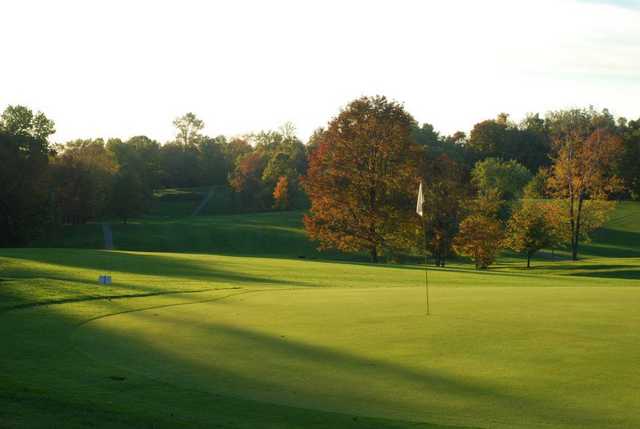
x,y
561,357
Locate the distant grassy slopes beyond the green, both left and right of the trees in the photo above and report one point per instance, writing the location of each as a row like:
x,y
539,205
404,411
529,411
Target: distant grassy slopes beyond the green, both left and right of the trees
x,y
170,227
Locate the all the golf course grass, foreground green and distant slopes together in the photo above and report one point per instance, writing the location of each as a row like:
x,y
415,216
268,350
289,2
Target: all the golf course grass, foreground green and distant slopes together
x,y
251,338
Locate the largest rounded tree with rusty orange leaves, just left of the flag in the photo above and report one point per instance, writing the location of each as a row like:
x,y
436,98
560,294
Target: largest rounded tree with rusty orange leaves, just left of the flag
x,y
362,179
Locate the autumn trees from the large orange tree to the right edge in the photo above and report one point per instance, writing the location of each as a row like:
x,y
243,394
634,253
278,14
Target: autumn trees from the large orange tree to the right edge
x,y
542,183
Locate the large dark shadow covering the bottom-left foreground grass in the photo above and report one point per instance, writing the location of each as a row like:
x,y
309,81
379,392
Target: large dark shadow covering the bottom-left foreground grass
x,y
36,392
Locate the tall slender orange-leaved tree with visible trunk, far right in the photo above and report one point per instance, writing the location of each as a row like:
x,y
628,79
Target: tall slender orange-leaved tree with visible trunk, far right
x,y
585,153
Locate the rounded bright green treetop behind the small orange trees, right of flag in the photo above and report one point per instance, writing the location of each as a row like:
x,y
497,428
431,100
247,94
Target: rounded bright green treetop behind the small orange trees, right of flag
x,y
507,177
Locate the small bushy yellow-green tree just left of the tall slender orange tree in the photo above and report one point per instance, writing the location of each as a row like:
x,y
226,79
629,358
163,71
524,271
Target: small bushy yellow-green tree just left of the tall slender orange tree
x,y
532,226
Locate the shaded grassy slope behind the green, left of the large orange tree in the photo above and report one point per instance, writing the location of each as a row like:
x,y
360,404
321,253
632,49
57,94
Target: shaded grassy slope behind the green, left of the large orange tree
x,y
272,233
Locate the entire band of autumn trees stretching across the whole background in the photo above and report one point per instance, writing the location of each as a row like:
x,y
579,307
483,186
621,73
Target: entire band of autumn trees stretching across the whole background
x,y
541,183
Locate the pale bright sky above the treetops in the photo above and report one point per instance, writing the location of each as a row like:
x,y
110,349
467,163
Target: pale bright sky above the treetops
x,y
125,68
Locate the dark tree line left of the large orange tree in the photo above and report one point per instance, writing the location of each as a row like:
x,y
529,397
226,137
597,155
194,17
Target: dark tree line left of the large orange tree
x,y
45,185
